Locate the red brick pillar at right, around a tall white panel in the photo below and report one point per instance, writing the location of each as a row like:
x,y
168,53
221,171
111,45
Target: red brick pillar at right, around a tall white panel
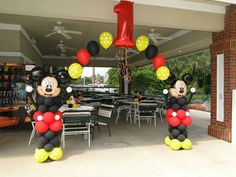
x,y
224,42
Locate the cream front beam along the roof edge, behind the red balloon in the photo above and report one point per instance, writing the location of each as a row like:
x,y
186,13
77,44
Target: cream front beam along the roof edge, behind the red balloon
x,y
102,11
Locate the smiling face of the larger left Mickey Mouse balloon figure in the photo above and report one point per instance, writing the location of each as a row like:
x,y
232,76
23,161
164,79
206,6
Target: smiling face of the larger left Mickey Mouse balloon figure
x,y
49,87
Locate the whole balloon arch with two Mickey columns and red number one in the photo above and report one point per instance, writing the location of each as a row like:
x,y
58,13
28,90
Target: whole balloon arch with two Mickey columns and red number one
x,y
48,119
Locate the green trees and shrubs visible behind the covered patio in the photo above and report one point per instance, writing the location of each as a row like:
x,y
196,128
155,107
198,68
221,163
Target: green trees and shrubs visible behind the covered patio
x,y
145,81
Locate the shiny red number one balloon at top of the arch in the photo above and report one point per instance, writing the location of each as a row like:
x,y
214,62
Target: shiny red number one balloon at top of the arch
x,y
124,36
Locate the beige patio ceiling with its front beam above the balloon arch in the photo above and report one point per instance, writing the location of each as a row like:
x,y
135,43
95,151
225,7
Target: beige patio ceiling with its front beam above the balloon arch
x,y
188,23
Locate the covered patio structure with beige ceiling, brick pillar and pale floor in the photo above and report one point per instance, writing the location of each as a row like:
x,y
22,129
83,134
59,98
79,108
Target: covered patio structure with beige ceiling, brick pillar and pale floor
x,y
189,25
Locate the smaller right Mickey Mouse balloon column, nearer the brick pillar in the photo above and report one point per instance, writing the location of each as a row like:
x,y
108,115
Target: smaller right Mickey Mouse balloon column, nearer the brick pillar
x,y
177,114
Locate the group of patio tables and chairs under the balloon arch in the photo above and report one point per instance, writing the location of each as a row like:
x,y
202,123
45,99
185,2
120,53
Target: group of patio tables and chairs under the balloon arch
x,y
101,112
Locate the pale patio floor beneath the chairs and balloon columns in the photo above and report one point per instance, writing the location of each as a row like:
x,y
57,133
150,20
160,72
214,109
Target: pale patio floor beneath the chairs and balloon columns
x,y
130,152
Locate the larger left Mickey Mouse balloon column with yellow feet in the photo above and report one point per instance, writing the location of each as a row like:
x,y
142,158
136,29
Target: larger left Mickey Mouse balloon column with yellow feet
x,y
47,118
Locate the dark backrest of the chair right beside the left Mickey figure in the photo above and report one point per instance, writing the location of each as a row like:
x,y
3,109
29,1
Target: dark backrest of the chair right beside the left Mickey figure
x,y
76,117
